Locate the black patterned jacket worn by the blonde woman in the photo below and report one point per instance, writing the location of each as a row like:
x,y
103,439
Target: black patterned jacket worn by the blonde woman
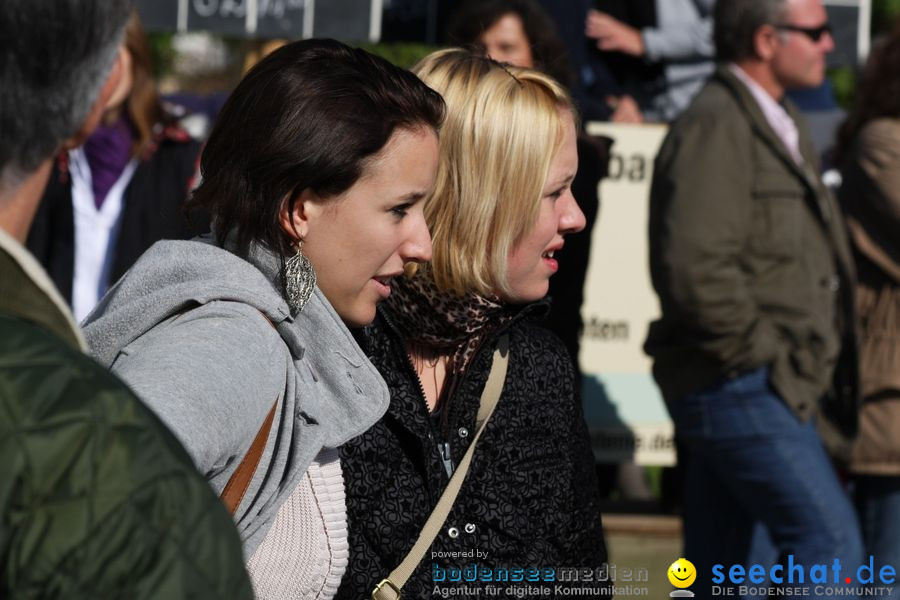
x,y
529,499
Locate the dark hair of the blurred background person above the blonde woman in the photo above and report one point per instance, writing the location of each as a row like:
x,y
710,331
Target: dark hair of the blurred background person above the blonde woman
x,y
474,17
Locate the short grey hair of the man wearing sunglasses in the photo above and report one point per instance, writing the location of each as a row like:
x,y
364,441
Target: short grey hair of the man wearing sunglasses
x,y
736,23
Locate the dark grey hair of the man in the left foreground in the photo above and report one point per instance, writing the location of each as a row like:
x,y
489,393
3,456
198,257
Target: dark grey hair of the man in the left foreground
x,y
55,56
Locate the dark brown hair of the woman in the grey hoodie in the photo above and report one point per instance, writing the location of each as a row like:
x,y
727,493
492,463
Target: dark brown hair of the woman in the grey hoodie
x,y
308,116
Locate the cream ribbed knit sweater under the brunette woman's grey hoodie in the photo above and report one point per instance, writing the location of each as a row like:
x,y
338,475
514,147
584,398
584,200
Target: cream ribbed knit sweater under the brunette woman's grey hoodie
x,y
305,552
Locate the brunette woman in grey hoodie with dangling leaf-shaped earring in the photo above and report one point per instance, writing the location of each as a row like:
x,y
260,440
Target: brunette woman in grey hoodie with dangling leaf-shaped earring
x,y
314,175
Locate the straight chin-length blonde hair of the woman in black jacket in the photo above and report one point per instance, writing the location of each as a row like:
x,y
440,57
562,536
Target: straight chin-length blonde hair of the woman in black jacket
x,y
503,128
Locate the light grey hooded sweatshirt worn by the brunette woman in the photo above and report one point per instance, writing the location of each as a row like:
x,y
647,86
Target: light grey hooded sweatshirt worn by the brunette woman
x,y
185,329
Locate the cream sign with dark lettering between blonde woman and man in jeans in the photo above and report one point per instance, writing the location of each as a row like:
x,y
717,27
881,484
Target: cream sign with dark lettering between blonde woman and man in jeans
x,y
625,412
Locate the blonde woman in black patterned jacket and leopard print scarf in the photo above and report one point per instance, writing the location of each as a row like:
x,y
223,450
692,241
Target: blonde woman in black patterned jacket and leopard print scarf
x,y
501,208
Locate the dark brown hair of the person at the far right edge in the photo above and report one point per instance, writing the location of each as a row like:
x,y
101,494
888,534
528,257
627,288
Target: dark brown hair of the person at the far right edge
x,y
878,94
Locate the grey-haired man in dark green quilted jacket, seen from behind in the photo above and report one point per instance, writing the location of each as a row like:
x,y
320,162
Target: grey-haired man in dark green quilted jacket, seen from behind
x,y
97,499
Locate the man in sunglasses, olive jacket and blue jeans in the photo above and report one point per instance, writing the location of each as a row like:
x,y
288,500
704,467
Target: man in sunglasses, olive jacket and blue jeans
x,y
755,350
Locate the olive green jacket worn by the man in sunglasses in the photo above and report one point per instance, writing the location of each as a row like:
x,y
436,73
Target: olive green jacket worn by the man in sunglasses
x,y
750,259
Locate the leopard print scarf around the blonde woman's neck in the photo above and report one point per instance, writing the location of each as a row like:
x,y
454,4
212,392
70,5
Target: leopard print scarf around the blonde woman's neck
x,y
447,324
